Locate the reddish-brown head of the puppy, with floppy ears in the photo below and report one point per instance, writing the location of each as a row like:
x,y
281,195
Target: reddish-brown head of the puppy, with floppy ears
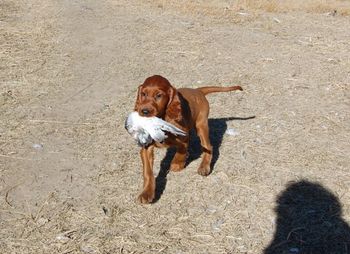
x,y
155,97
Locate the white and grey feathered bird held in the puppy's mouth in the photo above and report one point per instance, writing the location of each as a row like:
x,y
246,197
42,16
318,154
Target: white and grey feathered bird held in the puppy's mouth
x,y
146,129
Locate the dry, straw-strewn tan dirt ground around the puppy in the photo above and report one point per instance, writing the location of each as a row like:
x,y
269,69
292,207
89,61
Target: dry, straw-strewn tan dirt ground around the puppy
x,y
70,174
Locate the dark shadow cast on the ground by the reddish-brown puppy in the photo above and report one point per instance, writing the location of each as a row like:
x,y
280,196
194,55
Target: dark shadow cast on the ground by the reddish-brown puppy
x,y
217,129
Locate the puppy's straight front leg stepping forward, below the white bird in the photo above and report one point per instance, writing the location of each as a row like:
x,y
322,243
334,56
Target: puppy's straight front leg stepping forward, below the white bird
x,y
149,187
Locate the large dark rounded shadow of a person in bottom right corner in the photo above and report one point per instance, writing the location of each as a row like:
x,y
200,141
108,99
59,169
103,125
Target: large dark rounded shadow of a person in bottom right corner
x,y
309,221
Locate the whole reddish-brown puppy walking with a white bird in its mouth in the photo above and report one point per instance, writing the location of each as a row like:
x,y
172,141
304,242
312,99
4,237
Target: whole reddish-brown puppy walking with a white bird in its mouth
x,y
185,108
